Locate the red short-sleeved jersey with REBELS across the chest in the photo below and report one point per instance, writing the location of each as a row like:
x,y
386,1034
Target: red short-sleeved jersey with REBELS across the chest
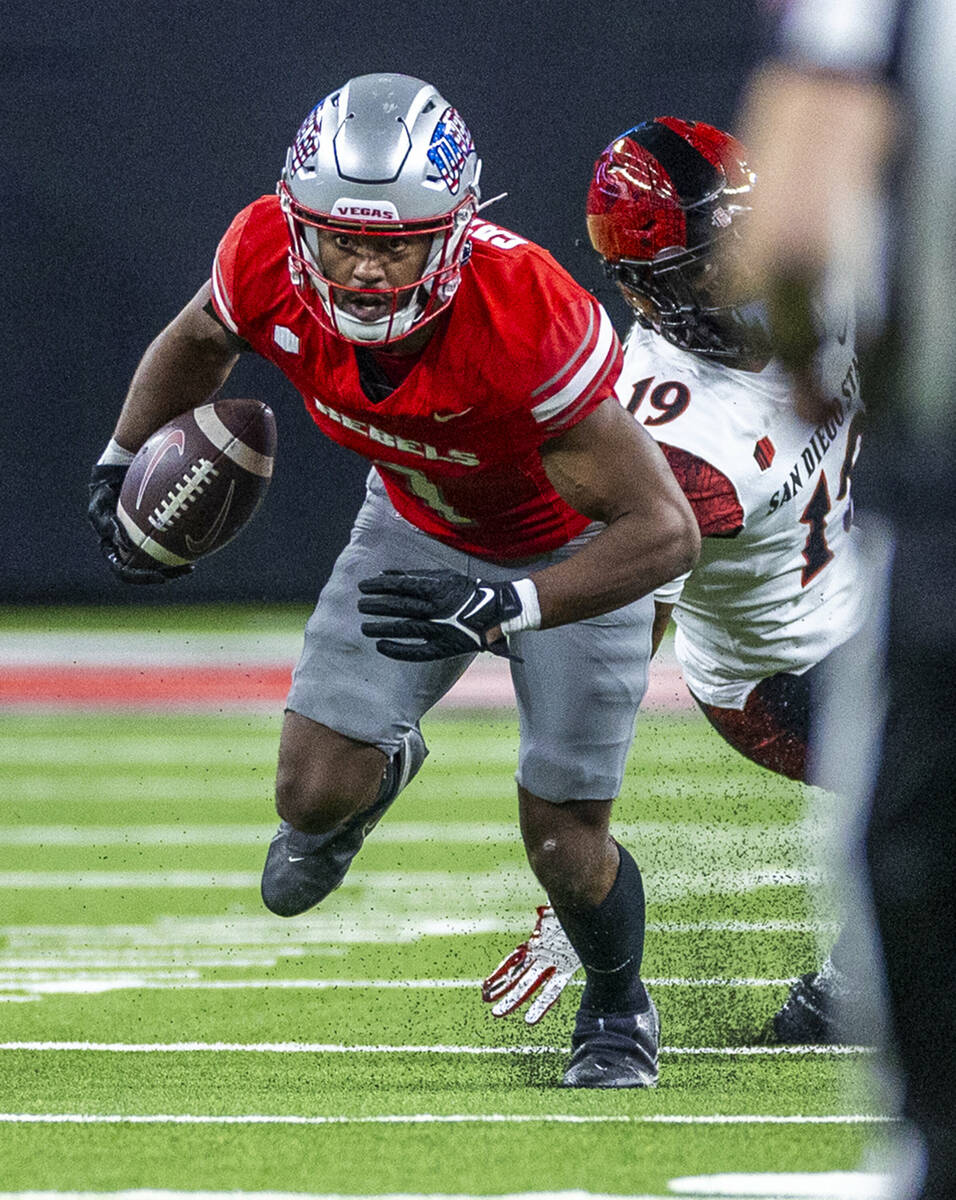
x,y
521,356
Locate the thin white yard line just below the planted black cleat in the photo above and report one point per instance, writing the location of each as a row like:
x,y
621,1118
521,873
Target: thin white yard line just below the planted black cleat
x,y
716,1119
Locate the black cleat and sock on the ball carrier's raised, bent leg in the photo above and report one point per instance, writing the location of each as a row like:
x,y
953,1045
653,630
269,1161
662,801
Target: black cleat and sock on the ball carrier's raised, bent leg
x,y
302,869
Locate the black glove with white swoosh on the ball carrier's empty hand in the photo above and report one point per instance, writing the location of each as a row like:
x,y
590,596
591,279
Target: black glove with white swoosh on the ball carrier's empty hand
x,y
444,613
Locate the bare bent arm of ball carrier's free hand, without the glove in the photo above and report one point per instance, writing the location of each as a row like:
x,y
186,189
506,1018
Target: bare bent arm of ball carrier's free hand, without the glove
x,y
612,471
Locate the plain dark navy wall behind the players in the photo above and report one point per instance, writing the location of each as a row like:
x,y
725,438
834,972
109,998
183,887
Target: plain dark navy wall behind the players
x,y
133,134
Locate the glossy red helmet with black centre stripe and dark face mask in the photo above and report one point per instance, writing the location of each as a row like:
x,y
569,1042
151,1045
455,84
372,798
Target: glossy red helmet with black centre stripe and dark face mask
x,y
665,201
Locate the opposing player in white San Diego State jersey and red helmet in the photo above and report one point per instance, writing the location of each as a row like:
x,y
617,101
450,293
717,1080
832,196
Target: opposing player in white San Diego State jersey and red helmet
x,y
775,590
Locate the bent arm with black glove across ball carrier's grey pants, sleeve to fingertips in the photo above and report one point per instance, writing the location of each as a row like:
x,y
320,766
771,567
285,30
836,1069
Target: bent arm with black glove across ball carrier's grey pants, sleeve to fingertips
x,y
609,470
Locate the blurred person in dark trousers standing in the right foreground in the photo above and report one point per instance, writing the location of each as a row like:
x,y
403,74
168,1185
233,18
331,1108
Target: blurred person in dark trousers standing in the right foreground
x,y
855,127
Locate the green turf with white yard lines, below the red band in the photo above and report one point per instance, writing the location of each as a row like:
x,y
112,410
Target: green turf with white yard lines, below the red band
x,y
163,1031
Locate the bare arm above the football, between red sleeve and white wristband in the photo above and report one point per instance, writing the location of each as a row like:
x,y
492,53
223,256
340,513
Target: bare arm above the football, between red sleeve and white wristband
x,y
182,369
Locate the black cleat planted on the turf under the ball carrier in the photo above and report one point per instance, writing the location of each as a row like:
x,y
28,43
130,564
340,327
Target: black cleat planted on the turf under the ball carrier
x,y
615,1051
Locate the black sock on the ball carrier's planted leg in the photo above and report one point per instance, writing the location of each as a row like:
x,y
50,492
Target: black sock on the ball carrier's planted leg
x,y
610,941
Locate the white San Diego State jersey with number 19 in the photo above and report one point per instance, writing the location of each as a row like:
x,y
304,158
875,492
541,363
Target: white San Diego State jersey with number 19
x,y
777,586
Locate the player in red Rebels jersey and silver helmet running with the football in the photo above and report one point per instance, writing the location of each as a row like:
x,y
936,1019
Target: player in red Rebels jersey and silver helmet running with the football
x,y
513,507
